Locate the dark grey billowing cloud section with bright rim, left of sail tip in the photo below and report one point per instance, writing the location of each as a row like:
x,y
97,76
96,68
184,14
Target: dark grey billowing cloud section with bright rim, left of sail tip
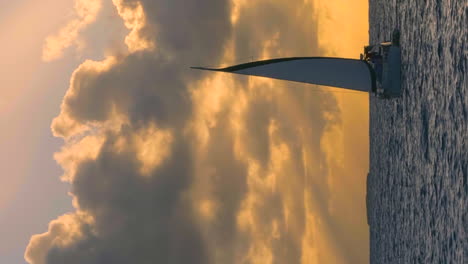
x,y
131,109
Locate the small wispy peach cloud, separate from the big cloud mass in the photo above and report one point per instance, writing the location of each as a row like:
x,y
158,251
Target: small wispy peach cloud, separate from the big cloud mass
x,y
85,13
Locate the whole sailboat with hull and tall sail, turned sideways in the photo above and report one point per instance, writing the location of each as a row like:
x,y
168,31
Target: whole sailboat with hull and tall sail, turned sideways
x,y
378,71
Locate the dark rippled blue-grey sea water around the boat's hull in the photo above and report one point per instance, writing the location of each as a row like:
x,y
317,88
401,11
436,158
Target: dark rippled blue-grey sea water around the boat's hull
x,y
417,184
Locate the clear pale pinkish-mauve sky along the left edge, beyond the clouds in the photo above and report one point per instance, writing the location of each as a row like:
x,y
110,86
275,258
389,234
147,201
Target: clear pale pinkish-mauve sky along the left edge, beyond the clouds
x,y
30,93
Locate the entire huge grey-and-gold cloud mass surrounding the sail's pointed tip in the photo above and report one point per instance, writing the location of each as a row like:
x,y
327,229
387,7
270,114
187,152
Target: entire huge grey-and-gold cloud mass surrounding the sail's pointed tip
x,y
170,165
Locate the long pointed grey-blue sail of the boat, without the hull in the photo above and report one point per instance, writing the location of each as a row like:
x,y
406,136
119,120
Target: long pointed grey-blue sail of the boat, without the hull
x,y
338,72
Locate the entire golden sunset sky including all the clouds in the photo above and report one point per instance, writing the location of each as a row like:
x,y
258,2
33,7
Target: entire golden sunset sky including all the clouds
x,y
164,163
